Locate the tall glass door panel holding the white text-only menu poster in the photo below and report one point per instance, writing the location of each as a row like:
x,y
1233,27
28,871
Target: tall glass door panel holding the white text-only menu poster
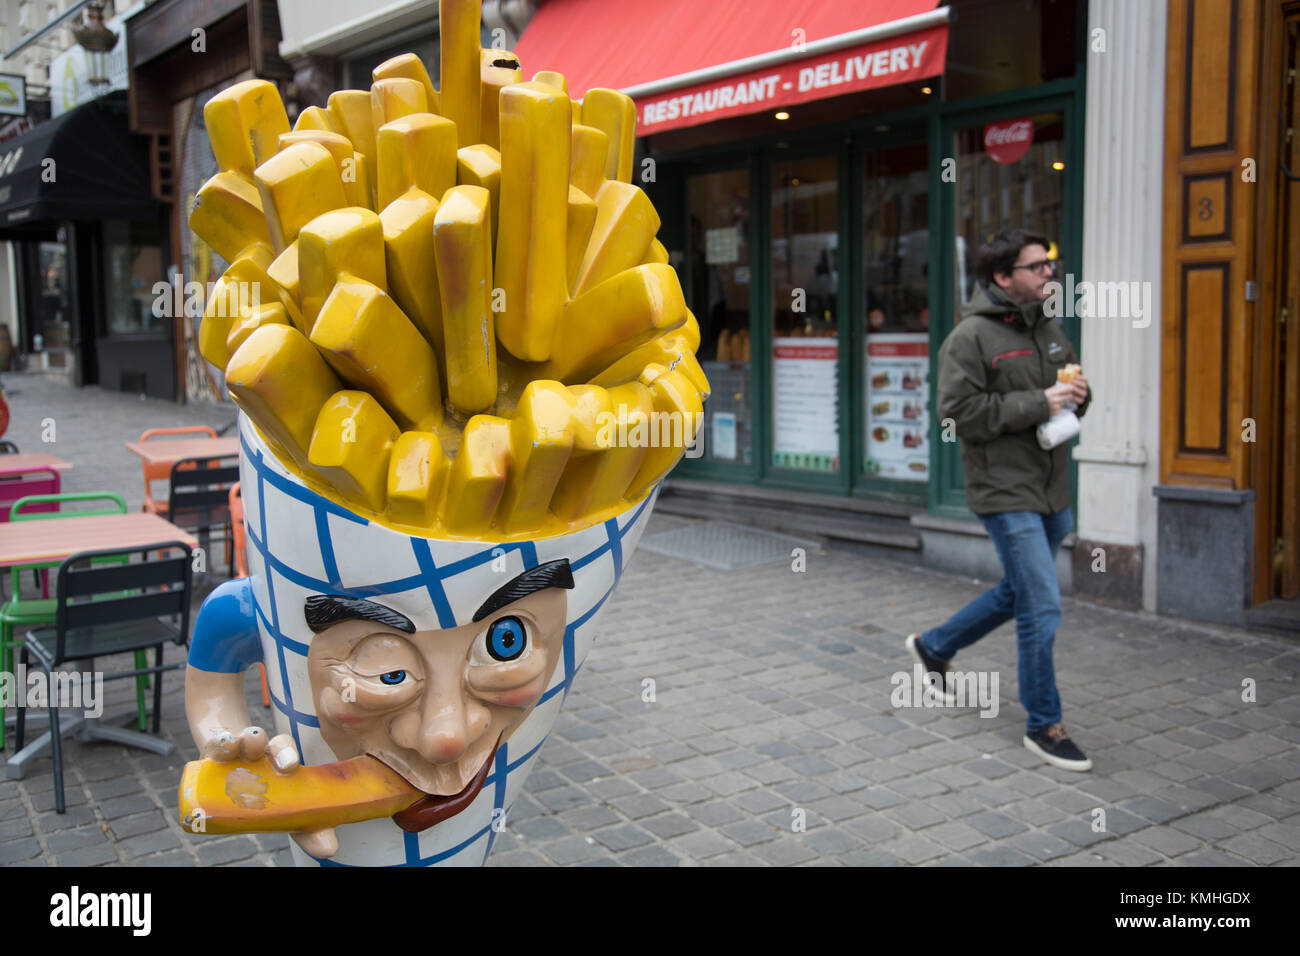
x,y
804,287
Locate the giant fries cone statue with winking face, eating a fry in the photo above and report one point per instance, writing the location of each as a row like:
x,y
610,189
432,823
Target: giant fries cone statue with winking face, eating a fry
x,y
463,367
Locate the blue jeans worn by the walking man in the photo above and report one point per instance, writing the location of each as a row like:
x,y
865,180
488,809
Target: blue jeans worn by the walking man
x,y
1026,544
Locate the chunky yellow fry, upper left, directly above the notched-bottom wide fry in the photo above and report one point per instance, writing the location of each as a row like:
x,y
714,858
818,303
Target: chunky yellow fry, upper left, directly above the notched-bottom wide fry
x,y
297,185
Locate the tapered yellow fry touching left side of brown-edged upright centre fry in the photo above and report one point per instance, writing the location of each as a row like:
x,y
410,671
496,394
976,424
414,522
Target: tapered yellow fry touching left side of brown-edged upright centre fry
x,y
409,257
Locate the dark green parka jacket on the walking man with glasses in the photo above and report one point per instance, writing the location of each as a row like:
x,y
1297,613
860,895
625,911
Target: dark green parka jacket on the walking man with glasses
x,y
993,371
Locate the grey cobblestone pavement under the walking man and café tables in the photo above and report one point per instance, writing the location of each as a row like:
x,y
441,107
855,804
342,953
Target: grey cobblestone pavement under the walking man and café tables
x,y
773,710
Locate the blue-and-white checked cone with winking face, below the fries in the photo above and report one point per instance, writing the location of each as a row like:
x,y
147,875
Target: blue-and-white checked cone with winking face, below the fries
x,y
447,661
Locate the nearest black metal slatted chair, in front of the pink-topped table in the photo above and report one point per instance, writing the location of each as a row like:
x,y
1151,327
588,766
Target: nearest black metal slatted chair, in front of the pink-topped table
x,y
105,609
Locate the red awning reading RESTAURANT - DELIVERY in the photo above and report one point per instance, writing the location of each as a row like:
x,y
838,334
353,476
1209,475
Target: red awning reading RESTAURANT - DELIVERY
x,y
692,62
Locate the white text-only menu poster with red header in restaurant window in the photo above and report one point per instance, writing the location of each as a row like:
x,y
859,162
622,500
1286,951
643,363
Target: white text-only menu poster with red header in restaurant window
x,y
807,430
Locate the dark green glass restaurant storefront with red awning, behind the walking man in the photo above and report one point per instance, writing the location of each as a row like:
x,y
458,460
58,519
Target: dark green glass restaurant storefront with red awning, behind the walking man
x,y
804,239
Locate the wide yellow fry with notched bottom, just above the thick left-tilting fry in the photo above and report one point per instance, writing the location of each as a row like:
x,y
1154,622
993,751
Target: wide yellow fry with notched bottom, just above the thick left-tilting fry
x,y
349,240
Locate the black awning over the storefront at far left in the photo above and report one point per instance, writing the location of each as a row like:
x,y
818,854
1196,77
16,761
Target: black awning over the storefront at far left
x,y
101,171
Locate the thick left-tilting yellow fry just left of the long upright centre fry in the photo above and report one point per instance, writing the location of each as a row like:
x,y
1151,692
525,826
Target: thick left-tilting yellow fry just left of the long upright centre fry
x,y
372,347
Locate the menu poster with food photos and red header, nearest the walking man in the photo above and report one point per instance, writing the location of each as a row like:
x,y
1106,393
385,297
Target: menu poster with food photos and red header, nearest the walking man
x,y
898,412
